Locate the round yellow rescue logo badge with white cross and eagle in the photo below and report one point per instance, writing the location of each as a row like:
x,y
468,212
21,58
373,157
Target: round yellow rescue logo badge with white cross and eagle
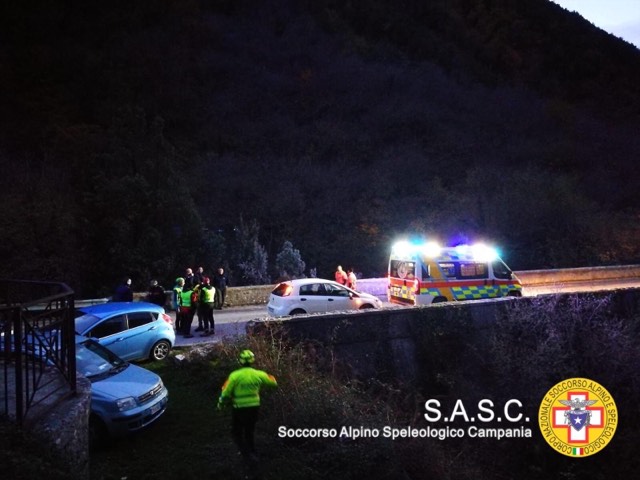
x,y
578,417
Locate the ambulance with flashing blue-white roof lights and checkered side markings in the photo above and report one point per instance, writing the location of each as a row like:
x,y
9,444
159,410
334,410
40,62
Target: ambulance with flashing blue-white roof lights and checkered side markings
x,y
425,273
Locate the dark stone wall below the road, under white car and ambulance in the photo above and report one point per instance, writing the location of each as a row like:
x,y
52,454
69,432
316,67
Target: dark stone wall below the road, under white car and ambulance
x,y
397,344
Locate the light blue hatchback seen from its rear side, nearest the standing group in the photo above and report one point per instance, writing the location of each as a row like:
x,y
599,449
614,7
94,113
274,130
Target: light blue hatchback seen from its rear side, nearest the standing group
x,y
132,330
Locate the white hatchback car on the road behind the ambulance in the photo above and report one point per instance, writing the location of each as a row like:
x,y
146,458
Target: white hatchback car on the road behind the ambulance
x,y
316,295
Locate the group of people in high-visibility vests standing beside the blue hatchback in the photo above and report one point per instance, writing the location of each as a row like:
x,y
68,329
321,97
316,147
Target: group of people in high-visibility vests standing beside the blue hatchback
x,y
196,294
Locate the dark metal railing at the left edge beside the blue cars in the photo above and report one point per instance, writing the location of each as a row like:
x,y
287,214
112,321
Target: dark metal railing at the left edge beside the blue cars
x,y
37,346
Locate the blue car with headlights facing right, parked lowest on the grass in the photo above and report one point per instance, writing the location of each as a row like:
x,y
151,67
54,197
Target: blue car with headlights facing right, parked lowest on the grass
x,y
124,397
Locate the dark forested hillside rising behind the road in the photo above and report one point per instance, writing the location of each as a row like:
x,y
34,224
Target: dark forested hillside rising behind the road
x,y
138,138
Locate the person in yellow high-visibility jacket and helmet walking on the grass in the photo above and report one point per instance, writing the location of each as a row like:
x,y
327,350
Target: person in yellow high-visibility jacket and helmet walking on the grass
x,y
242,389
